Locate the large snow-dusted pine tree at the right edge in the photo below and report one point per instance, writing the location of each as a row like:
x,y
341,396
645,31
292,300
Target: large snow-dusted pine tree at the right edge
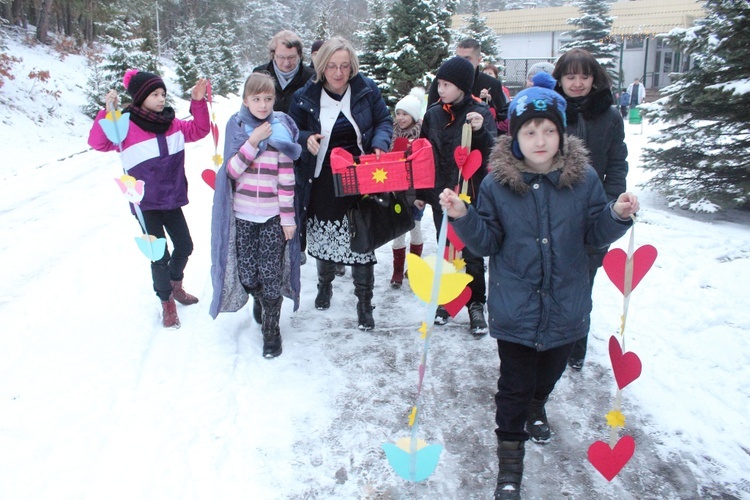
x,y
704,161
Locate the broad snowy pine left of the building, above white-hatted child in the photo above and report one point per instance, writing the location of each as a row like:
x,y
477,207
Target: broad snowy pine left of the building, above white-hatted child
x,y
418,38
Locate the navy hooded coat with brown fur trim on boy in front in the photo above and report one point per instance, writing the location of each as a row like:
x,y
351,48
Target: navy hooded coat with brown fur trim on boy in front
x,y
535,228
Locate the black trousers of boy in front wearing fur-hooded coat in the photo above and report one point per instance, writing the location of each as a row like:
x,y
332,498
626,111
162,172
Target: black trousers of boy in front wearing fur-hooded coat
x,y
525,373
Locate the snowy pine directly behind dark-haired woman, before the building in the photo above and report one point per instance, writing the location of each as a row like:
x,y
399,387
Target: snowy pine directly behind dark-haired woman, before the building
x,y
593,33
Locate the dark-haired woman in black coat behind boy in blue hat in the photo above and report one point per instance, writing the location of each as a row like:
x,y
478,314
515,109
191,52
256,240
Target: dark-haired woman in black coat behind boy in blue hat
x,y
592,117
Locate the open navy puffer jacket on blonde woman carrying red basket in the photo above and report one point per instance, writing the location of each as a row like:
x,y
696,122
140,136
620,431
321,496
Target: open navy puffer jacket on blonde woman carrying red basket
x,y
369,111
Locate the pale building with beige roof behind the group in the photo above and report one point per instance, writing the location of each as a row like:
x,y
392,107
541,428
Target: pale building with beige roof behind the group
x,y
536,34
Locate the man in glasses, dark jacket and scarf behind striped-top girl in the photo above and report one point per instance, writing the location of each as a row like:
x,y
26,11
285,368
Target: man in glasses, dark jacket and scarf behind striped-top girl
x,y
286,67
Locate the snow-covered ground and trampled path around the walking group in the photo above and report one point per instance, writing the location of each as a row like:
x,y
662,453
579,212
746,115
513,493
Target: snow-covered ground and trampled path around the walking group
x,y
98,401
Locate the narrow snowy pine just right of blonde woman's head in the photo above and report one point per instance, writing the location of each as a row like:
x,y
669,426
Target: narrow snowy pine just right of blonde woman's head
x,y
374,38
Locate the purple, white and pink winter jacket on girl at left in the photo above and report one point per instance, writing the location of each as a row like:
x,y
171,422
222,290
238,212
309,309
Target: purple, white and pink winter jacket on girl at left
x,y
157,159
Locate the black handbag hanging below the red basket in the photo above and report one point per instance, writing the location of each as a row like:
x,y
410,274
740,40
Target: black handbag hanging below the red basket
x,y
376,219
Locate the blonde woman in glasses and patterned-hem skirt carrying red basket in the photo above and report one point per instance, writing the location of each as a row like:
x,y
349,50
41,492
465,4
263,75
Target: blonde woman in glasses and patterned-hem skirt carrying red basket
x,y
338,107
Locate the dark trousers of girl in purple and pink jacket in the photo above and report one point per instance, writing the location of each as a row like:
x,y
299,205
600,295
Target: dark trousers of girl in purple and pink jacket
x,y
170,267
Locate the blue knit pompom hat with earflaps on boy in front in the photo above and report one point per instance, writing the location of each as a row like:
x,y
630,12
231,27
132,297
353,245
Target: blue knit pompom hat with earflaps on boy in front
x,y
539,101
